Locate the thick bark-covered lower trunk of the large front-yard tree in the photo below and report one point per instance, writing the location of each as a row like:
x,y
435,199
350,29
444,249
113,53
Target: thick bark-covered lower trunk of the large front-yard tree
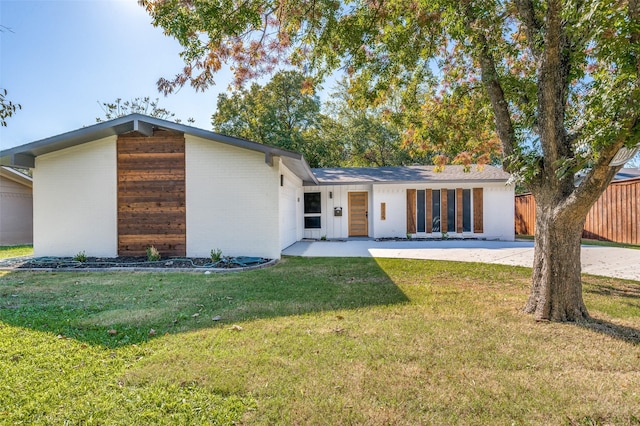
x,y
556,294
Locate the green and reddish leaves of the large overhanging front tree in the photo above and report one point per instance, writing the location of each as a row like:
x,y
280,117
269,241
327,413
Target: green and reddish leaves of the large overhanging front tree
x,y
399,50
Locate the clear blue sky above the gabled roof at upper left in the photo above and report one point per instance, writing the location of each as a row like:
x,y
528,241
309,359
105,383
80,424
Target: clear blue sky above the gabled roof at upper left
x,y
62,58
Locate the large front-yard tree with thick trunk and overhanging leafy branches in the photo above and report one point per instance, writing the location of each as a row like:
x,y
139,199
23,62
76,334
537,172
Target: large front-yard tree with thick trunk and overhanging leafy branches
x,y
562,79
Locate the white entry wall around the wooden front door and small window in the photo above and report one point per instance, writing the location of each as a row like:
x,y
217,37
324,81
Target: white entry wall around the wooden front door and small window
x,y
336,226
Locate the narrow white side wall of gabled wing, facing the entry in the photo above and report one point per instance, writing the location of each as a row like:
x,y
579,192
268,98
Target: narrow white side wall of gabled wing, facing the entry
x,y
291,208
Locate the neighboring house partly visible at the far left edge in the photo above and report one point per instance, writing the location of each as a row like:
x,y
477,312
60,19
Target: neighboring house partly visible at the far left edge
x,y
16,207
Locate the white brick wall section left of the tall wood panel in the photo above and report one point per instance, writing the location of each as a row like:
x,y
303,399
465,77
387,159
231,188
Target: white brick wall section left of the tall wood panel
x,y
75,201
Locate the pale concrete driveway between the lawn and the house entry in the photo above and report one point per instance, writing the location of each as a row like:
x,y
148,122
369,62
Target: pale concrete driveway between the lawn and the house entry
x,y
596,260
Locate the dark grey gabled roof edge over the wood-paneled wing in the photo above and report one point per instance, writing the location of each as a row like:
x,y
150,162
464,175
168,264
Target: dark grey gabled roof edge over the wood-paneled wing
x,y
24,155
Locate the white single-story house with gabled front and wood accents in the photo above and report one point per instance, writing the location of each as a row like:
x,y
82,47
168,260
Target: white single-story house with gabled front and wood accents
x,y
120,186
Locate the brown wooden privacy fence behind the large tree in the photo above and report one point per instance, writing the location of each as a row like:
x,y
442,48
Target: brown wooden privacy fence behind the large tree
x,y
614,217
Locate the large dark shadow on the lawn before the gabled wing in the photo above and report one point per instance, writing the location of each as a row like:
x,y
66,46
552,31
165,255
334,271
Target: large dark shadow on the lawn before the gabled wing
x,y
115,309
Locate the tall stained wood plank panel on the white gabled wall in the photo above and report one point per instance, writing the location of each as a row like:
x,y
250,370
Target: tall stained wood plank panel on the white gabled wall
x,y
151,193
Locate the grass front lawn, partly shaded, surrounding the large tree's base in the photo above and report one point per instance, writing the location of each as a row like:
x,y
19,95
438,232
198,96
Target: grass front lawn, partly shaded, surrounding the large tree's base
x,y
313,341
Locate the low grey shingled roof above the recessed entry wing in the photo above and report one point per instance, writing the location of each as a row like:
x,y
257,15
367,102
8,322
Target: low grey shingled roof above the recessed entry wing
x,y
408,174
